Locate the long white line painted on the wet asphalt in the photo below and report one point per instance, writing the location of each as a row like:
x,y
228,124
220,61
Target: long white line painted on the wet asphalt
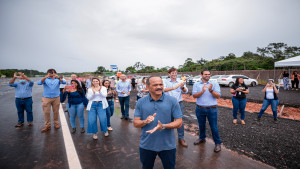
x,y
72,156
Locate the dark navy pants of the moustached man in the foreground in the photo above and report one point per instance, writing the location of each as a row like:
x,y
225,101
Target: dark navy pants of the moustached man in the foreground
x,y
168,158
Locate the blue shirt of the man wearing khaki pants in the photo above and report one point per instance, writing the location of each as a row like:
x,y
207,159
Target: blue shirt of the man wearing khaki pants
x,y
51,87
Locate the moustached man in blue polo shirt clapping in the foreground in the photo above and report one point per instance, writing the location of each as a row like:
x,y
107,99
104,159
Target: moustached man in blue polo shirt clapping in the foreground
x,y
157,115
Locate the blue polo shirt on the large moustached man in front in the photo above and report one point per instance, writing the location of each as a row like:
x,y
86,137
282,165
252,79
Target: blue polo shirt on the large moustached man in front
x,y
167,109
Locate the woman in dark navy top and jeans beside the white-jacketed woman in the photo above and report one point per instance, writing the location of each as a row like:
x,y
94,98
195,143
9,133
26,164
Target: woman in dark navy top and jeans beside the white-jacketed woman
x,y
76,103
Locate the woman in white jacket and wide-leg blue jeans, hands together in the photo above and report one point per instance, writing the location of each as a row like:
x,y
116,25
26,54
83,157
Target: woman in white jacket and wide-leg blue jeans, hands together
x,y
96,106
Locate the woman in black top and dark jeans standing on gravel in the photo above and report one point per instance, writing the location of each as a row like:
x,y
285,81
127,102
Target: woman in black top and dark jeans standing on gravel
x,y
239,100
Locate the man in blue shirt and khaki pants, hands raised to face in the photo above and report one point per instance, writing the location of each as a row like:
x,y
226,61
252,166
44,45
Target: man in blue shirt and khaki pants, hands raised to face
x,y
51,98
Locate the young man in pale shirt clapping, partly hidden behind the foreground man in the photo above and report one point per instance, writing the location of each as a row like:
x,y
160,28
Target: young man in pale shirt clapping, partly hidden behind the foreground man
x,y
175,88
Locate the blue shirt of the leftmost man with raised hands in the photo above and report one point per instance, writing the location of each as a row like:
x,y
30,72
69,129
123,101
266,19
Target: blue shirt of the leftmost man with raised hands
x,y
23,90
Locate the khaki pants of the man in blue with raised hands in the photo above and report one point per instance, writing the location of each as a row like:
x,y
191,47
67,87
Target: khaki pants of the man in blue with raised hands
x,y
47,103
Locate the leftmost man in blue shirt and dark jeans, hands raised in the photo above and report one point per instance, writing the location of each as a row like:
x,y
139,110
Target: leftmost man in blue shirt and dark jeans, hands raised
x,y
23,97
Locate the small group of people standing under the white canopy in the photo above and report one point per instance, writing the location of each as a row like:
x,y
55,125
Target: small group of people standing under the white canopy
x,y
294,80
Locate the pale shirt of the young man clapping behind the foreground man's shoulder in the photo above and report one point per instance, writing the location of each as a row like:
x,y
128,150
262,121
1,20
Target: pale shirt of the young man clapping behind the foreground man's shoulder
x,y
177,93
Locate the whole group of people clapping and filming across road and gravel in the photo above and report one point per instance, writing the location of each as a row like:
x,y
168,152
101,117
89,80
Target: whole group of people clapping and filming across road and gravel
x,y
159,108
